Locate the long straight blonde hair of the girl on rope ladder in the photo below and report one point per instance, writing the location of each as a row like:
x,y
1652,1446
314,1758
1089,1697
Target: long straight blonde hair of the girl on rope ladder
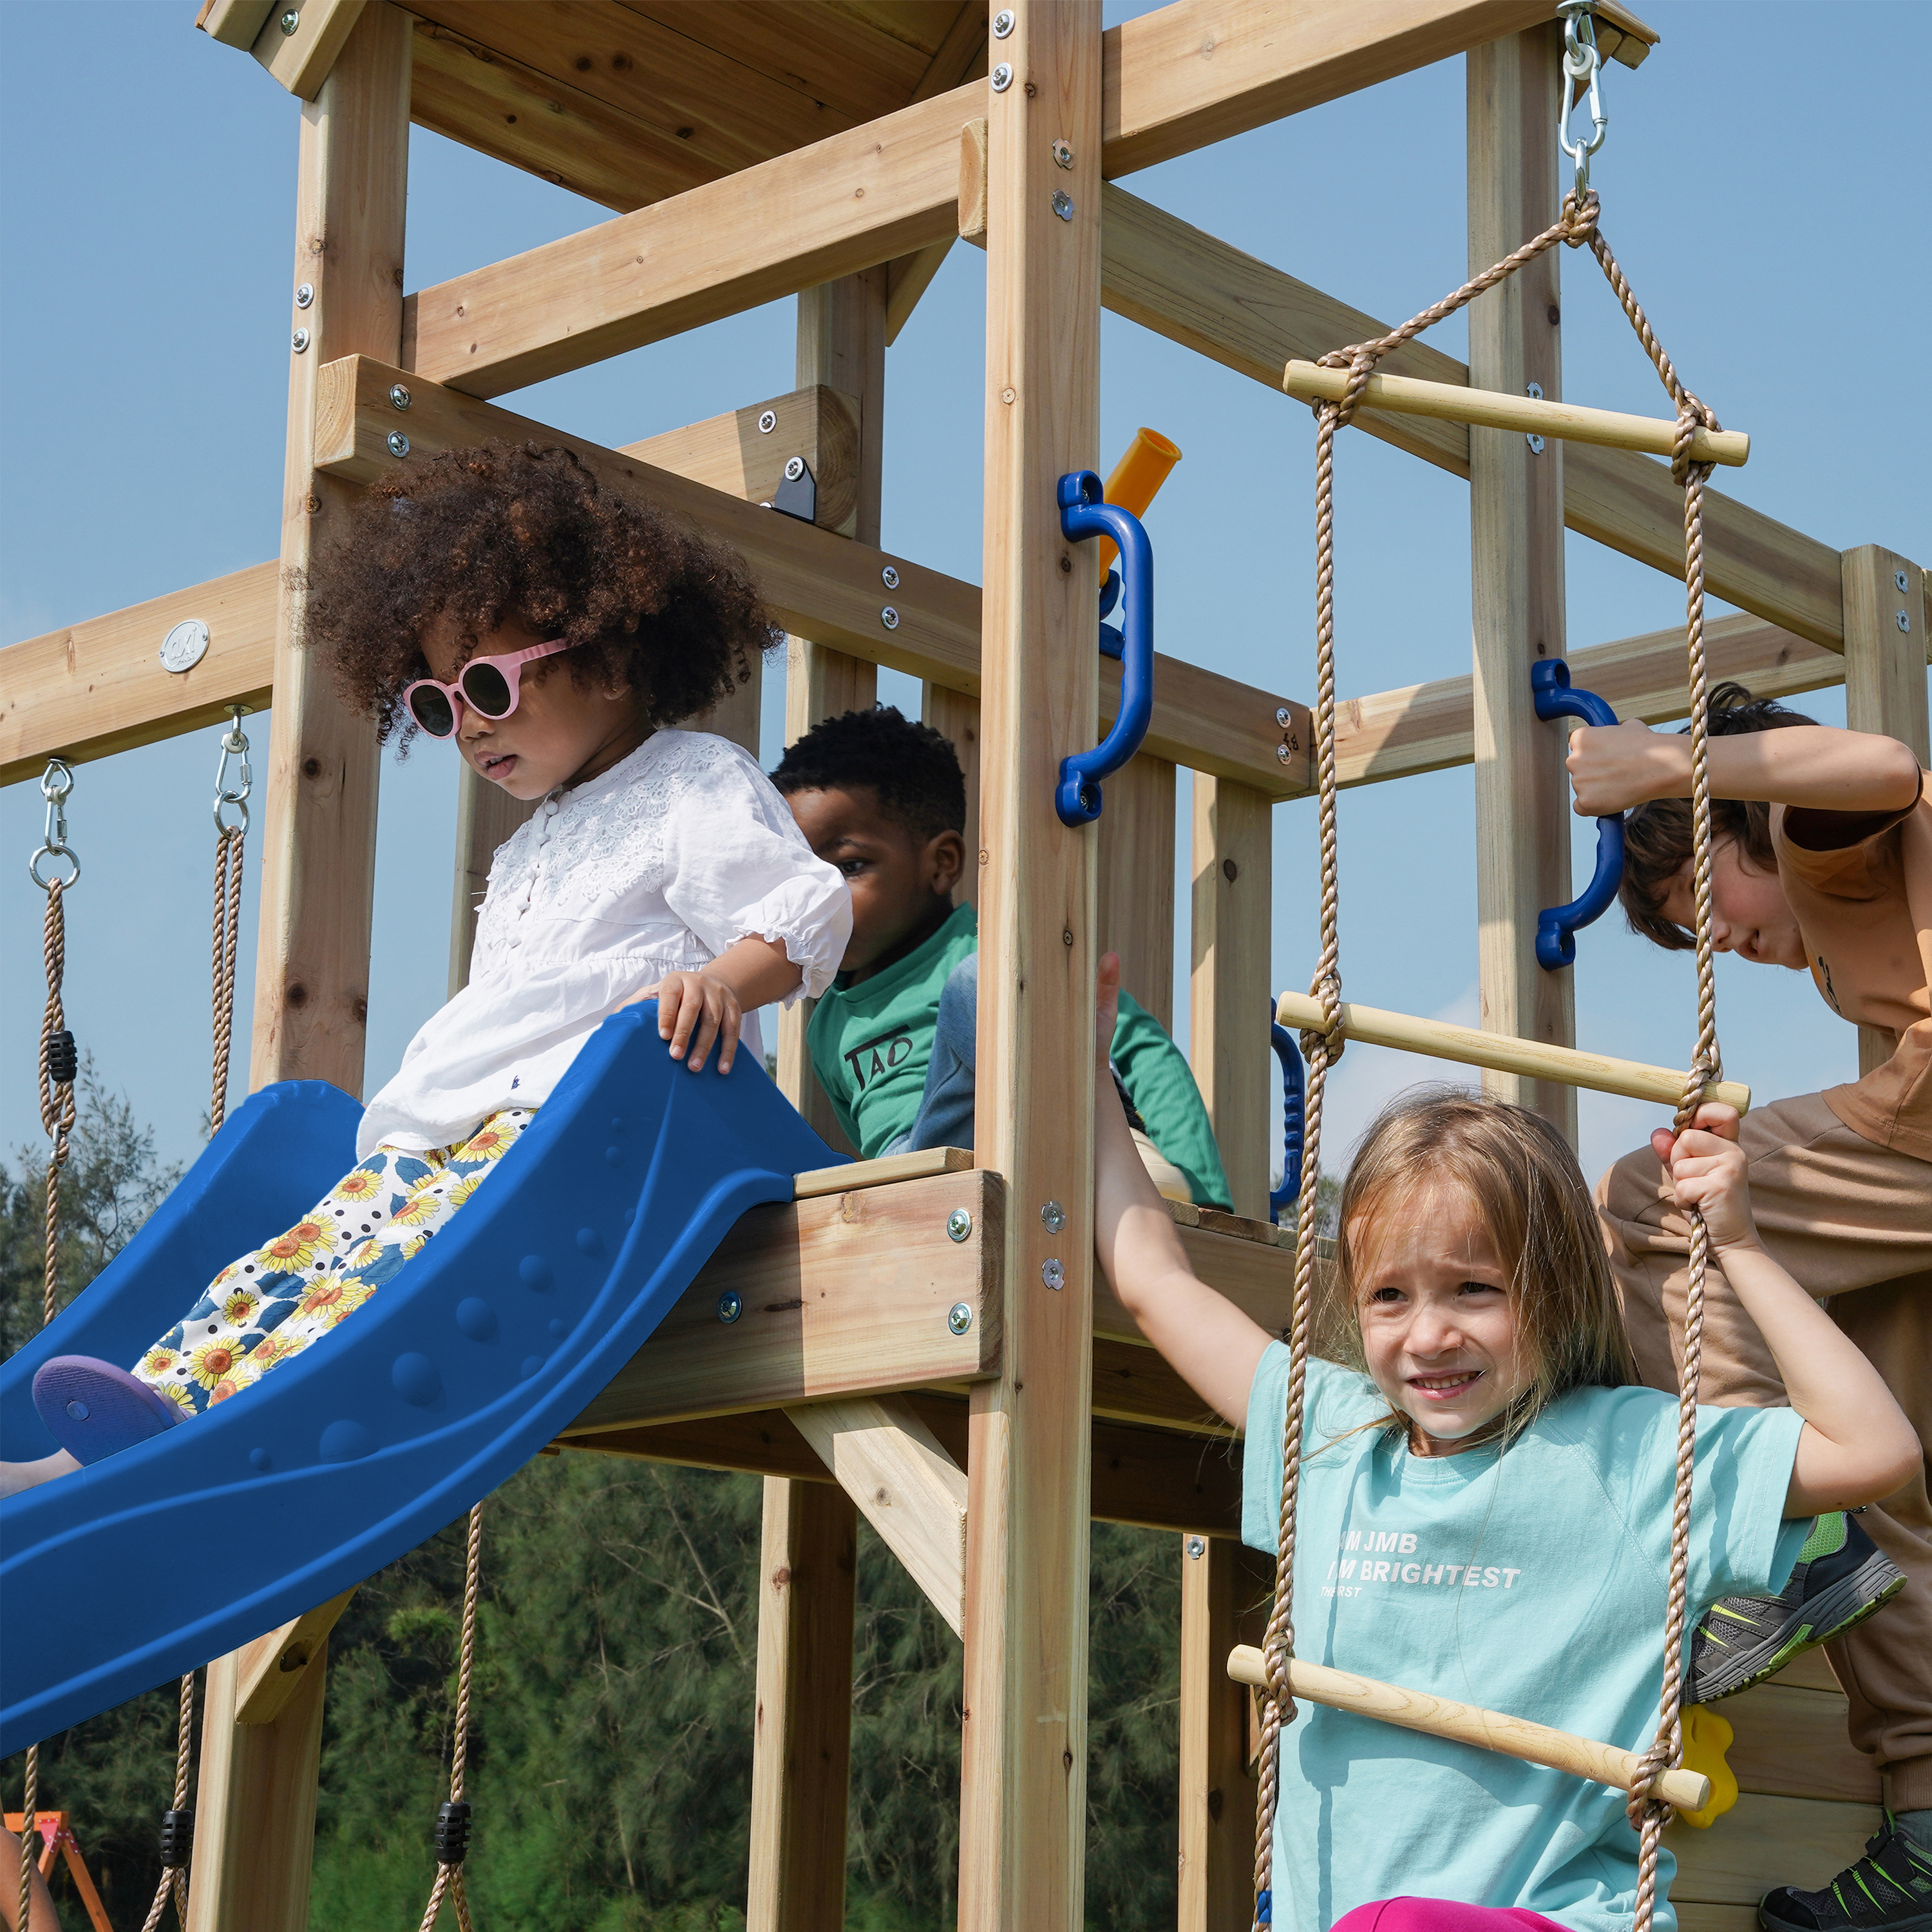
x,y
1533,1201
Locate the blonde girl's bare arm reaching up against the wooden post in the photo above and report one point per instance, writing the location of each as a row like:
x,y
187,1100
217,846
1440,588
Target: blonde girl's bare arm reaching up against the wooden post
x,y
1201,1334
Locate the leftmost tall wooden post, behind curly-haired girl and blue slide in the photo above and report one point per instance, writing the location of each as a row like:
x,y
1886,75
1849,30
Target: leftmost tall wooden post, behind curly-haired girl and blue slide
x,y
256,1802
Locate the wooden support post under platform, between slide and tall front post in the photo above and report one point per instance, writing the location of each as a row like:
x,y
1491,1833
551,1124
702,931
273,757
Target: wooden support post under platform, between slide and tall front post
x,y
803,1722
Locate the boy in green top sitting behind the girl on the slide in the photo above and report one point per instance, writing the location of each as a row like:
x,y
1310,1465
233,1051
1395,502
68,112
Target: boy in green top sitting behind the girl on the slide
x,y
894,1038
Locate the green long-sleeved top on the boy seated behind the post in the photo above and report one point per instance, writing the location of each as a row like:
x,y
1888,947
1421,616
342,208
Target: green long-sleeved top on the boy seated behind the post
x,y
872,1044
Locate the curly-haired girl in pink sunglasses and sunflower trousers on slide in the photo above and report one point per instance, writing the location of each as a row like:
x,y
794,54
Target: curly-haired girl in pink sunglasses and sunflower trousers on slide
x,y
557,637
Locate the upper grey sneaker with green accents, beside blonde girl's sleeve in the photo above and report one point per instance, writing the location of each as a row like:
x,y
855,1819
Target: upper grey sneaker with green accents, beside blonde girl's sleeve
x,y
1838,1581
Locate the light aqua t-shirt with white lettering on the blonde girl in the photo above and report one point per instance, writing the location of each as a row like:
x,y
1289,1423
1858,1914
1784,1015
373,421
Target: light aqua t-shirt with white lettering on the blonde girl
x,y
1531,1583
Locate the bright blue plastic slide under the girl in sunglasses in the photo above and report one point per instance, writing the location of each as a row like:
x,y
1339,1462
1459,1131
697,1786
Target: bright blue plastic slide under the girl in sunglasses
x,y
355,1452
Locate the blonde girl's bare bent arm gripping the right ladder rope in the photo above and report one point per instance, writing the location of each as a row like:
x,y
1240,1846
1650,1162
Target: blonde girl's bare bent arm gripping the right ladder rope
x,y
1856,1446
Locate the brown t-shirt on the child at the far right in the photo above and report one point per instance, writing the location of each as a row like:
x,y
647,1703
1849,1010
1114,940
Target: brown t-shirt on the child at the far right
x,y
1861,888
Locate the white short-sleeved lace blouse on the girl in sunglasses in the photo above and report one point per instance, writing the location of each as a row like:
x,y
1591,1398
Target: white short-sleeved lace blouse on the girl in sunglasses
x,y
656,867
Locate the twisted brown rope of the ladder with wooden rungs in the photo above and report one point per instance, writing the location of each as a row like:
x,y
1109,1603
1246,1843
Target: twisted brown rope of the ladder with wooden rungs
x,y
1577,227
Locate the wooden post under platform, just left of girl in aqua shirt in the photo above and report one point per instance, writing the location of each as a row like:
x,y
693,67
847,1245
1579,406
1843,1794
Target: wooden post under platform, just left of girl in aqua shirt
x,y
1224,1603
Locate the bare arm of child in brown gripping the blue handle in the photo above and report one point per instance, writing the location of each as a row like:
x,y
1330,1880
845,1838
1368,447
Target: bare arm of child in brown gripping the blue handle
x,y
1620,766
